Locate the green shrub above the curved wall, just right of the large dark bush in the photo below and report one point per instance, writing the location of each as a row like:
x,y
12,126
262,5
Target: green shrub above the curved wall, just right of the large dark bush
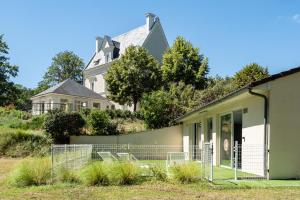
x,y
100,123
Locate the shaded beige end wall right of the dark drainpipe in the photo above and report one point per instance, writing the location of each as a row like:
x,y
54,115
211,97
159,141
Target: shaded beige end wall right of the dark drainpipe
x,y
284,137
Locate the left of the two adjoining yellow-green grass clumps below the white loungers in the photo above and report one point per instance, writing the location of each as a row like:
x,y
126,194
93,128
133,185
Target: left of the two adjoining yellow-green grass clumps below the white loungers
x,y
95,174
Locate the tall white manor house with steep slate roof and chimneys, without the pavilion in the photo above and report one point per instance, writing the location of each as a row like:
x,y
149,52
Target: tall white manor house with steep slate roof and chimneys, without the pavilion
x,y
108,49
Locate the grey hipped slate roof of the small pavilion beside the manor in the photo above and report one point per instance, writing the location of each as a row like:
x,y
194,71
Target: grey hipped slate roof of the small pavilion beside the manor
x,y
70,87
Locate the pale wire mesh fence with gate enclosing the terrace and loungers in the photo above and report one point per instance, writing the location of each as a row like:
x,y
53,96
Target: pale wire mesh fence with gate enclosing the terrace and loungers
x,y
248,161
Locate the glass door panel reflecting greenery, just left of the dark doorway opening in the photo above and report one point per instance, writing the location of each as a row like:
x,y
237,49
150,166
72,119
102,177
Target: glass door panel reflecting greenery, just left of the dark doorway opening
x,y
226,133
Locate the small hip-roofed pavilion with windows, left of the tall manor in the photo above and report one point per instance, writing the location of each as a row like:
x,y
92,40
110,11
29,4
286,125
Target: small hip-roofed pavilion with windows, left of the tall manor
x,y
69,96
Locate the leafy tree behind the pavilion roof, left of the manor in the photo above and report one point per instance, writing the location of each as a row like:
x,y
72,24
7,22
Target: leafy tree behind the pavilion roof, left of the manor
x,y
64,65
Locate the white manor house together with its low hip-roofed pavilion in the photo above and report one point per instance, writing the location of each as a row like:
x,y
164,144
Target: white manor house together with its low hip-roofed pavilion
x,y
72,96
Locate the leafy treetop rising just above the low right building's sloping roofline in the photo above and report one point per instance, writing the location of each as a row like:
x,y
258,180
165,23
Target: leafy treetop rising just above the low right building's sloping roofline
x,y
249,73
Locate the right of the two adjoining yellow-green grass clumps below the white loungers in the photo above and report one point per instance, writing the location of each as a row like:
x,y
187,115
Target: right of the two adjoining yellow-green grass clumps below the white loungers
x,y
125,173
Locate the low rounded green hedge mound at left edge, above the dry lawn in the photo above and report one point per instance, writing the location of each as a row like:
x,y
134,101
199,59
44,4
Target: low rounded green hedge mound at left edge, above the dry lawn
x,y
21,143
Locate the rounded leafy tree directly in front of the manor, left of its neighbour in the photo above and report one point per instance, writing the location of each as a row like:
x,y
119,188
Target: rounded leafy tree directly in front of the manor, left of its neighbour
x,y
134,74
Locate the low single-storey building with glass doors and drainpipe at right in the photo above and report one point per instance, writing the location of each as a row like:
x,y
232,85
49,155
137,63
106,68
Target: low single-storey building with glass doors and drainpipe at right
x,y
264,115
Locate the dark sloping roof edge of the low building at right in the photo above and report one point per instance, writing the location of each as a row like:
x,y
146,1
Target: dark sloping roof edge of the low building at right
x,y
243,89
